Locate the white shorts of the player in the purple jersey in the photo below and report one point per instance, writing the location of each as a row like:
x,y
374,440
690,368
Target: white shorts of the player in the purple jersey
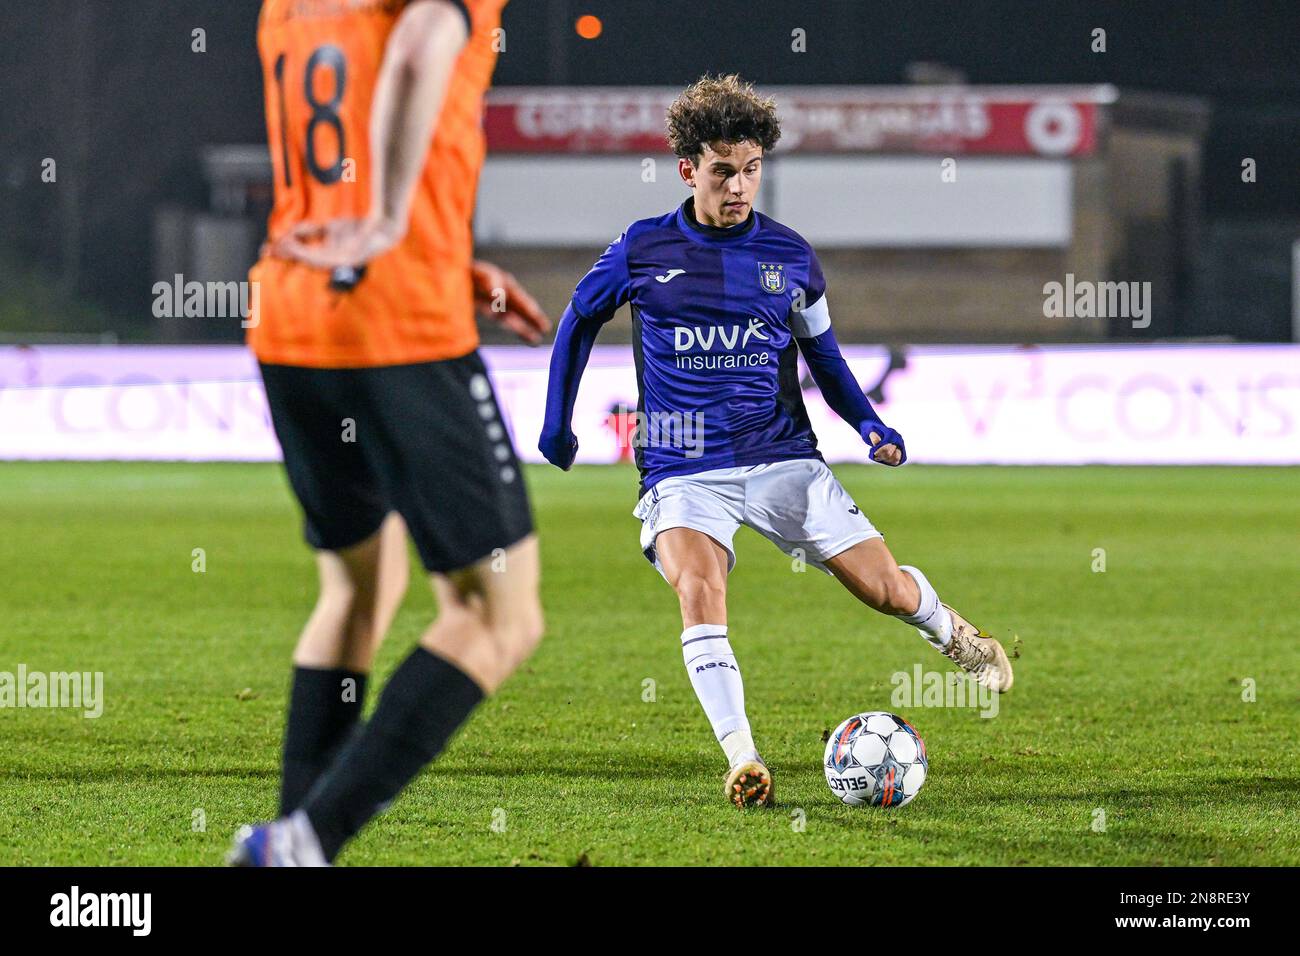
x,y
800,507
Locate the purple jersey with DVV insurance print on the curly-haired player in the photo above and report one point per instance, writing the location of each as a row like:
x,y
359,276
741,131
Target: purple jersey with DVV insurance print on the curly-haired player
x,y
716,314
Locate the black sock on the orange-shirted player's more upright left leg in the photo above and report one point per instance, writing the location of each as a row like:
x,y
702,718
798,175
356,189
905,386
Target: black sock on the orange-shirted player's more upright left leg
x,y
323,711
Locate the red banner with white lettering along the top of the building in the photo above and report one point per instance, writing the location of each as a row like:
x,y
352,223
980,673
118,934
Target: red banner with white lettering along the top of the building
x,y
1012,122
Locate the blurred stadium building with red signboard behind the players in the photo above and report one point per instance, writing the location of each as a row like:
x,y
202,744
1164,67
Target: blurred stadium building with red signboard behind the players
x,y
939,213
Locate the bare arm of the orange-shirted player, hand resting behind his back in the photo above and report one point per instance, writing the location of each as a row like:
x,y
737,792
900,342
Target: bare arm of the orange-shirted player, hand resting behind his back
x,y
409,94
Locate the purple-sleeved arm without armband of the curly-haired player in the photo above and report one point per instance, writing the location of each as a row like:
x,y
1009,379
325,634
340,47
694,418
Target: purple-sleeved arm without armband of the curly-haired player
x,y
596,300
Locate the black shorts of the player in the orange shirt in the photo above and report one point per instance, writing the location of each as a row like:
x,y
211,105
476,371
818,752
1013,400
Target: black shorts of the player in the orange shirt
x,y
427,442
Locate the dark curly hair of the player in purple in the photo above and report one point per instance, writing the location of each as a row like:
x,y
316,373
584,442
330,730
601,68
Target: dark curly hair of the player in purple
x,y
721,110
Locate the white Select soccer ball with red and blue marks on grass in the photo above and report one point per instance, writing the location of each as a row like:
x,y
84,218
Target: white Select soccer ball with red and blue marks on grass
x,y
876,760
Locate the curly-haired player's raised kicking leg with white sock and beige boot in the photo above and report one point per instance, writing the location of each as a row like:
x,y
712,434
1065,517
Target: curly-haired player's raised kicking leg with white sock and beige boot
x,y
872,574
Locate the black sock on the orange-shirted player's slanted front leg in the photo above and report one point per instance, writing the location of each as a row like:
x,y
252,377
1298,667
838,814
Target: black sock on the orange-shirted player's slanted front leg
x,y
424,703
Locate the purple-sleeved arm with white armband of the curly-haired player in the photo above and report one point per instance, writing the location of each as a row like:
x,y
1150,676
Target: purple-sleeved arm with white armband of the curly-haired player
x,y
842,391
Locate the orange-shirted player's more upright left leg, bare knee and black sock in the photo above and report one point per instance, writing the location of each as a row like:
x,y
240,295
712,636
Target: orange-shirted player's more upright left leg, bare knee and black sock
x,y
361,589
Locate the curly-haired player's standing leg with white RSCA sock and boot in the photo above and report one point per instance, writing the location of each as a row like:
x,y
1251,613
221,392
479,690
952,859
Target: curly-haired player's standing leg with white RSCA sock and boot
x,y
696,568
